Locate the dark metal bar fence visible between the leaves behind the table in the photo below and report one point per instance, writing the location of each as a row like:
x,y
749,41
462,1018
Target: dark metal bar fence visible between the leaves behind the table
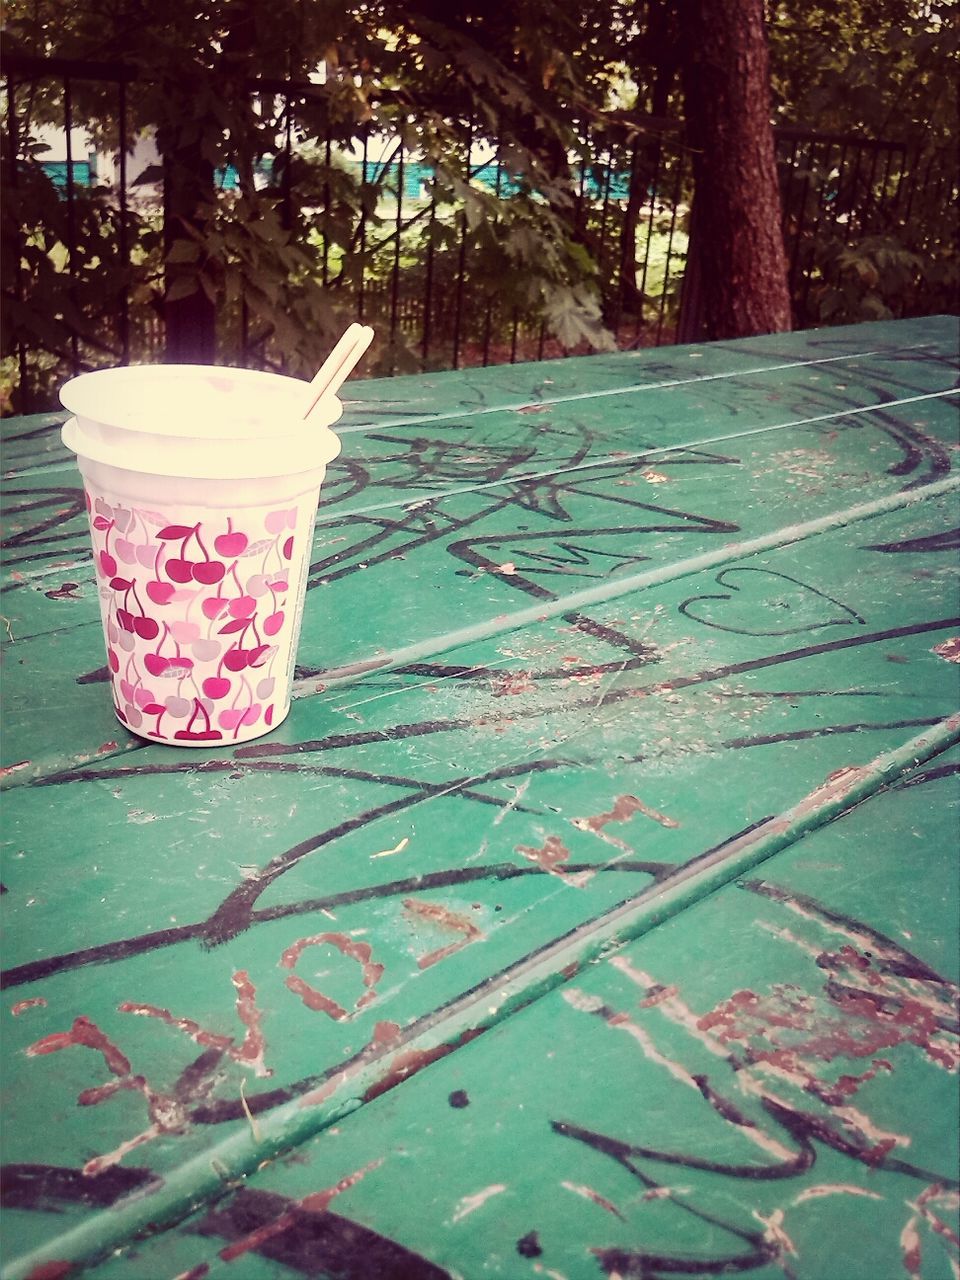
x,y
391,239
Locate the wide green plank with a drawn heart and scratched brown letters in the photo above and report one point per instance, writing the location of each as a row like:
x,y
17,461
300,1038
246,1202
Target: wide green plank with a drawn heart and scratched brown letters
x,y
458,821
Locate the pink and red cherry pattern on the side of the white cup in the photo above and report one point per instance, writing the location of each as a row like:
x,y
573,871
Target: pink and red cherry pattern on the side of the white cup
x,y
194,639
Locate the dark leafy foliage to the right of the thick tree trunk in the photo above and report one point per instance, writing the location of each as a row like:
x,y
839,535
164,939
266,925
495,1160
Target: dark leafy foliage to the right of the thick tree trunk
x,y
884,70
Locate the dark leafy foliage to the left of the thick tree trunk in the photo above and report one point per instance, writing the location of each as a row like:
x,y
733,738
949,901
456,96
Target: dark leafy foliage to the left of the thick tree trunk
x,y
392,70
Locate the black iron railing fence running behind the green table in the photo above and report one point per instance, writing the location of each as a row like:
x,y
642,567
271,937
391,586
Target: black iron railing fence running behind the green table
x,y
363,222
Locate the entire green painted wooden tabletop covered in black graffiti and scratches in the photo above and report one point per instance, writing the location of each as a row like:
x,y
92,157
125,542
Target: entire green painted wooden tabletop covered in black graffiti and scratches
x,y
595,911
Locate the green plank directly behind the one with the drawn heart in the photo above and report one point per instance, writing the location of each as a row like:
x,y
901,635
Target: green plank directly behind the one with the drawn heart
x,y
491,552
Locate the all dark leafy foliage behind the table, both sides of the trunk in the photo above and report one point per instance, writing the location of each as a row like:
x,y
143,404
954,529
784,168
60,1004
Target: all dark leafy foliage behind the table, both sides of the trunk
x,y
552,85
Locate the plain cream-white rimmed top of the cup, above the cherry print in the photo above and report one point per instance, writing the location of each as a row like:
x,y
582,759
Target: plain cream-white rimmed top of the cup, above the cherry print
x,y
199,420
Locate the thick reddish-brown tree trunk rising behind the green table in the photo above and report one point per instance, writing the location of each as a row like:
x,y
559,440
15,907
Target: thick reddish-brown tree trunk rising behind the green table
x,y
738,249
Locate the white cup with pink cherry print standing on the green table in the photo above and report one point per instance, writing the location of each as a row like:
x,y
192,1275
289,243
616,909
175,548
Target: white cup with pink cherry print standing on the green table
x,y
202,488
